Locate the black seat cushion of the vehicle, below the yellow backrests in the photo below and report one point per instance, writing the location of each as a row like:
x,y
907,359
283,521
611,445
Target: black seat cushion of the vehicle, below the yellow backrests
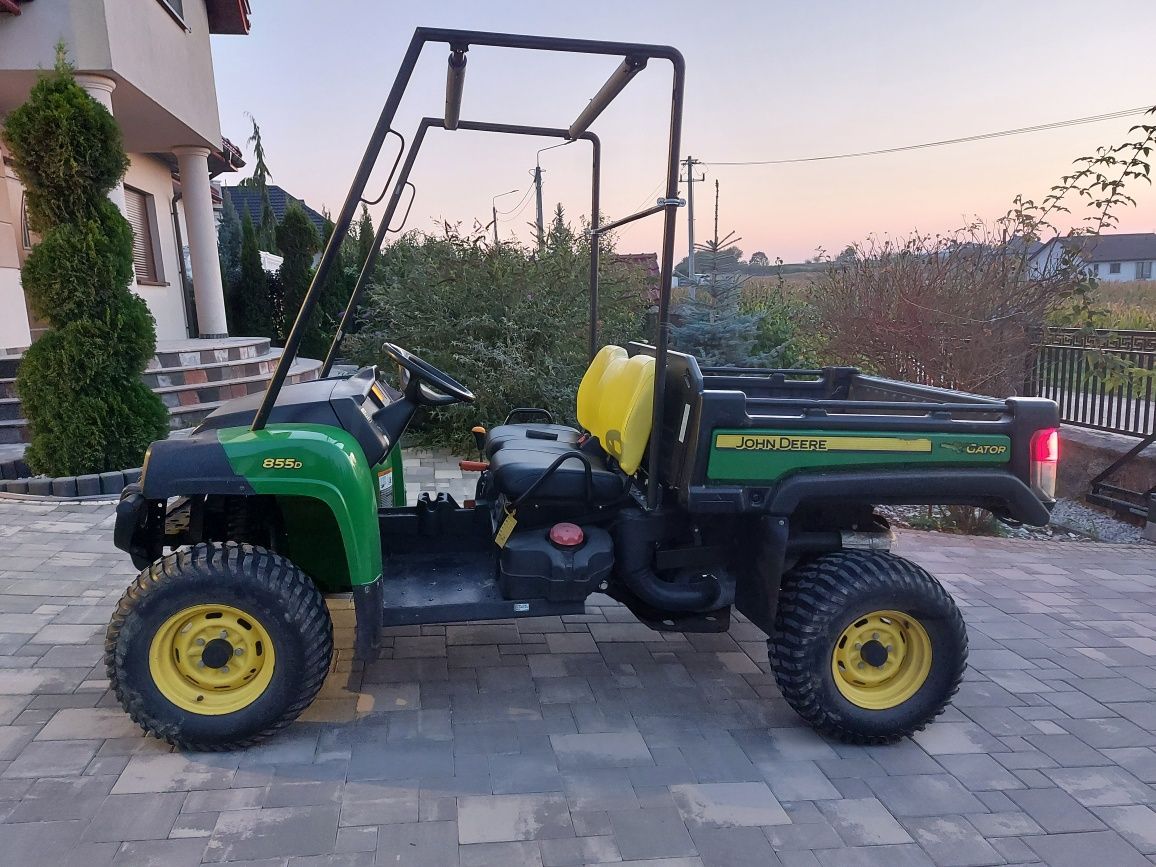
x,y
515,470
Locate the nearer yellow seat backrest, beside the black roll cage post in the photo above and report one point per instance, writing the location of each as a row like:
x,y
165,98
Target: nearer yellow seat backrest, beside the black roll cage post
x,y
624,420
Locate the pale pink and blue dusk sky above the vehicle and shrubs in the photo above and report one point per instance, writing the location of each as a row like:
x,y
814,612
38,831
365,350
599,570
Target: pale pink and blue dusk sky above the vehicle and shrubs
x,y
766,80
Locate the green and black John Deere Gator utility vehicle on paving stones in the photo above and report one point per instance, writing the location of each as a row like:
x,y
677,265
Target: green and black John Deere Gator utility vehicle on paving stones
x,y
687,492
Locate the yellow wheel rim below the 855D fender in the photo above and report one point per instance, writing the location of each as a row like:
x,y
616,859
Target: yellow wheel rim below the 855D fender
x,y
212,659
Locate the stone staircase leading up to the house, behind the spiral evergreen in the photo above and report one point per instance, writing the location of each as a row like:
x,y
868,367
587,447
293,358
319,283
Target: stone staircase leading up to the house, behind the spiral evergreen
x,y
194,377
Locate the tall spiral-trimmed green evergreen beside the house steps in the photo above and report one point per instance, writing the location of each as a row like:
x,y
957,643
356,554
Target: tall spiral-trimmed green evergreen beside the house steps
x,y
80,384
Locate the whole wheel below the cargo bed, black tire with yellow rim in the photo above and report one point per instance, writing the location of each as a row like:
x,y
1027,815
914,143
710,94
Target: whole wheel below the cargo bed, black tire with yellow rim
x,y
829,612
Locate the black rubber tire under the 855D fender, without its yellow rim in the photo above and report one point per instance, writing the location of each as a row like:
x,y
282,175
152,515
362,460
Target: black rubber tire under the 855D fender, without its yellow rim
x,y
265,586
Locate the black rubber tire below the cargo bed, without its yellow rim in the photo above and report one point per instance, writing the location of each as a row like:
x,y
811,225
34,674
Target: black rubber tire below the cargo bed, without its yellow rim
x,y
824,597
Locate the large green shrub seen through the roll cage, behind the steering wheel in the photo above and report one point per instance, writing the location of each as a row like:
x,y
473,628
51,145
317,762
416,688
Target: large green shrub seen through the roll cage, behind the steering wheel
x,y
509,323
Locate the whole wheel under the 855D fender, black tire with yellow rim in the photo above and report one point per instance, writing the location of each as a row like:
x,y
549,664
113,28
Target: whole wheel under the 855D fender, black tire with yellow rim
x,y
219,647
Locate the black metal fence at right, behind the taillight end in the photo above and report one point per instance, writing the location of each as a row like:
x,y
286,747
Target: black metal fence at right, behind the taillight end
x,y
1075,368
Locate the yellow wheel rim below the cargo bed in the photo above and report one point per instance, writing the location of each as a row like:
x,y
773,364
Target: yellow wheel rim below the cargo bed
x,y
881,661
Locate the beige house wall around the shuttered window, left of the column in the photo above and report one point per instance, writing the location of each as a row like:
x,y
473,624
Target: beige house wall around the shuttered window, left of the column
x,y
166,302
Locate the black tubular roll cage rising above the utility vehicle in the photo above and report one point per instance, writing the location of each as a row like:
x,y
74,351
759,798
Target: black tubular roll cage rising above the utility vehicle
x,y
635,57
